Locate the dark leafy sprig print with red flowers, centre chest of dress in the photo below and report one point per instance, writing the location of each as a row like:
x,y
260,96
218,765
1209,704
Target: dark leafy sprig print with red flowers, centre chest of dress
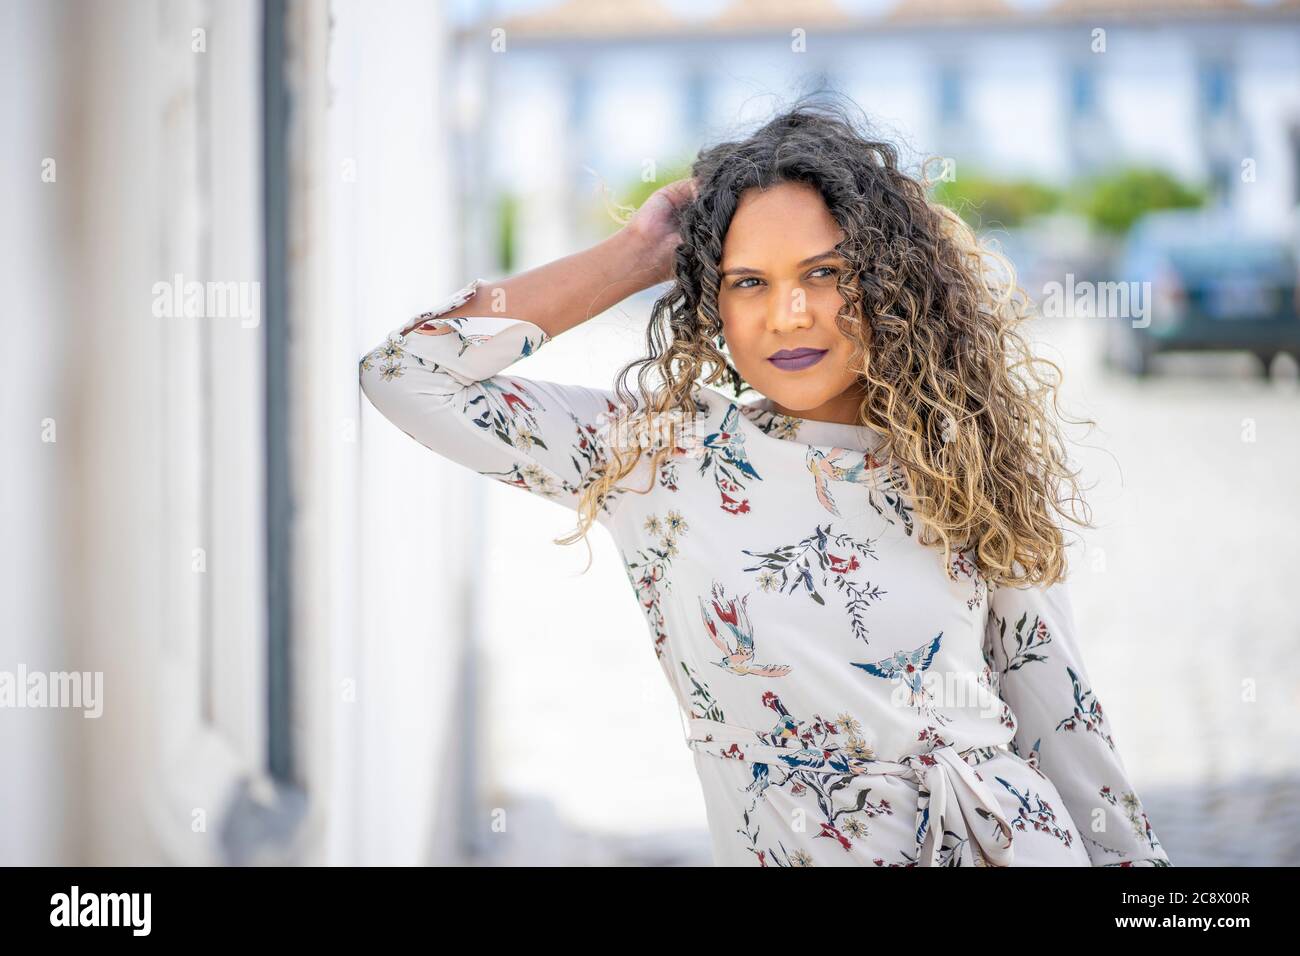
x,y
833,560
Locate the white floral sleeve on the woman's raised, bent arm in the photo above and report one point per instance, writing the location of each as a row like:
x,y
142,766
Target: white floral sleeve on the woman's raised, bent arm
x,y
444,383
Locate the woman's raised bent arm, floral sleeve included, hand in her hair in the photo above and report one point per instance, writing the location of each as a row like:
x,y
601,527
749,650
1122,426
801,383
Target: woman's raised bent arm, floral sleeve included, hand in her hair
x,y
441,377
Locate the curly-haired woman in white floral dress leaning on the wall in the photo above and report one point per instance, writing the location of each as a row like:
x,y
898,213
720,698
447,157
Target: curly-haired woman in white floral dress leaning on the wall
x,y
855,585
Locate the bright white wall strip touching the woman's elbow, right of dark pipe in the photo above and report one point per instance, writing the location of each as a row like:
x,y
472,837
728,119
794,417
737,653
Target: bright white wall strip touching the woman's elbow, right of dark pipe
x,y
393,253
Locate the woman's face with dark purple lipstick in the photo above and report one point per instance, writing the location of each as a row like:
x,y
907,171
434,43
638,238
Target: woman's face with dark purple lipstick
x,y
779,296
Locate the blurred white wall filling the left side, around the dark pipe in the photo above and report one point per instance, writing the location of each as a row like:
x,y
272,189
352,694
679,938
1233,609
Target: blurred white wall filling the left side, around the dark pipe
x,y
135,546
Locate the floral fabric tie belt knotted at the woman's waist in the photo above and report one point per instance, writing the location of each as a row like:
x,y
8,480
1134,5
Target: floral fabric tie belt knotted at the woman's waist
x,y
951,799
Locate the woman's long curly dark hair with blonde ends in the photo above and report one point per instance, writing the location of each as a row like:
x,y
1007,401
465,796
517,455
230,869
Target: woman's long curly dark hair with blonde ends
x,y
965,410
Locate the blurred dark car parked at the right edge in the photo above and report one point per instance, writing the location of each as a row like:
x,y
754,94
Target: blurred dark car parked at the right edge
x,y
1215,285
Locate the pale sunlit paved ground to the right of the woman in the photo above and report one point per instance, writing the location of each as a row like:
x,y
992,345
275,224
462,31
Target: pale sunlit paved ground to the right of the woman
x,y
1186,594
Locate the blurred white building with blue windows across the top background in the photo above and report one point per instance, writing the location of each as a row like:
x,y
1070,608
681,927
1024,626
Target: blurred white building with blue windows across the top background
x,y
1043,90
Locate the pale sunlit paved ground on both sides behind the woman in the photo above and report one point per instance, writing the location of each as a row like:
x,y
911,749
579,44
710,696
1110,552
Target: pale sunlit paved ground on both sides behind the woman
x,y
1185,598
